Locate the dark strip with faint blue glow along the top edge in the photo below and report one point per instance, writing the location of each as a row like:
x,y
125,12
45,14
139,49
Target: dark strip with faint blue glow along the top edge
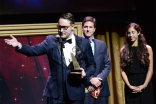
x,y
60,6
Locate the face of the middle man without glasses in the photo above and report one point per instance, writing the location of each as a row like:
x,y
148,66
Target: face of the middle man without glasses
x,y
88,29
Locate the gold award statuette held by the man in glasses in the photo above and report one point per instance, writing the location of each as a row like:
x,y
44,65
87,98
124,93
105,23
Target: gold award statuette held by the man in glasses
x,y
76,69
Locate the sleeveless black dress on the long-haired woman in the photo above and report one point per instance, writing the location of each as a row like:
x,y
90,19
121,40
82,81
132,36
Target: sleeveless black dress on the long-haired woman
x,y
136,76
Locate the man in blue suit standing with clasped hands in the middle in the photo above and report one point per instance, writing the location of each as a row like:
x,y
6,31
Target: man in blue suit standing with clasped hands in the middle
x,y
98,82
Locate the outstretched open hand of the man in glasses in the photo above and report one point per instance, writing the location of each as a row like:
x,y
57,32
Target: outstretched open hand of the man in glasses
x,y
13,42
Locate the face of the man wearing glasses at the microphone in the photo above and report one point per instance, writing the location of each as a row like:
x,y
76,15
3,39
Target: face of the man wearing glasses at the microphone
x,y
65,28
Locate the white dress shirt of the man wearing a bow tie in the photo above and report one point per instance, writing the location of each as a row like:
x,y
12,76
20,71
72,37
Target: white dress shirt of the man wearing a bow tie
x,y
69,48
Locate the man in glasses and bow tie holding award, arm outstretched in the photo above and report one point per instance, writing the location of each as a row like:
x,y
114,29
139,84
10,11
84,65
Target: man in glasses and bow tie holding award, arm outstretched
x,y
63,87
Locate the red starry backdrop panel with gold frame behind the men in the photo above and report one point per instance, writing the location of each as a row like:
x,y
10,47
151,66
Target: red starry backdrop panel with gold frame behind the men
x,y
22,78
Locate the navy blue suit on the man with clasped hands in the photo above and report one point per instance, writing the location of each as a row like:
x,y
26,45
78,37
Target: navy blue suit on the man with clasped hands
x,y
103,66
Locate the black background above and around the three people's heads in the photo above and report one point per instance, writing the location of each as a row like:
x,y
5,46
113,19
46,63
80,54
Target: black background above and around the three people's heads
x,y
109,14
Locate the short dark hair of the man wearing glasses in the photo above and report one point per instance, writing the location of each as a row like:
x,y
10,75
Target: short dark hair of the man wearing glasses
x,y
69,17
